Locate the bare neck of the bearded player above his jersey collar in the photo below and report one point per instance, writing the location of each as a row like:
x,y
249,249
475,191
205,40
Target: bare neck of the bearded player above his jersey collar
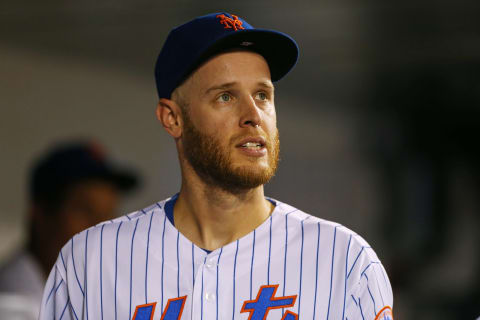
x,y
211,217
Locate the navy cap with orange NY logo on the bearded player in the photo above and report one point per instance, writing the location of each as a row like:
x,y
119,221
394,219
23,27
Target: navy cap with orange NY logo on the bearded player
x,y
189,45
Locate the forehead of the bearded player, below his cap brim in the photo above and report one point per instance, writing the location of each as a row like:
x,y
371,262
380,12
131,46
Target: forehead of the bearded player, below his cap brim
x,y
238,66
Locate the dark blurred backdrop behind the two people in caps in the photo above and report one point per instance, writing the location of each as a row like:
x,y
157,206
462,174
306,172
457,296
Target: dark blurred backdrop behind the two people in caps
x,y
378,122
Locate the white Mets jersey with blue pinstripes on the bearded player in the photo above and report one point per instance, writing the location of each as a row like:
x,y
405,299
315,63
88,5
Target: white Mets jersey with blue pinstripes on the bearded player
x,y
293,266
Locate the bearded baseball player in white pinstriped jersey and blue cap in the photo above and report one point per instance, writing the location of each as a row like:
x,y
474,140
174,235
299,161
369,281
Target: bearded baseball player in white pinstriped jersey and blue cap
x,y
219,249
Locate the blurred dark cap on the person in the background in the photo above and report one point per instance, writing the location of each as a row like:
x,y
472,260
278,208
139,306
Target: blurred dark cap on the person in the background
x,y
69,163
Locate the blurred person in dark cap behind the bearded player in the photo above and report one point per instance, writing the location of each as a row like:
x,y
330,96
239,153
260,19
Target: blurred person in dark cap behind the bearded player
x,y
72,187
